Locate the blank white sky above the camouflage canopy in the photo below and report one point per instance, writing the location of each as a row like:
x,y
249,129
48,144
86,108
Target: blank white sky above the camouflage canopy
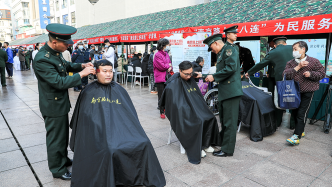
x,y
105,11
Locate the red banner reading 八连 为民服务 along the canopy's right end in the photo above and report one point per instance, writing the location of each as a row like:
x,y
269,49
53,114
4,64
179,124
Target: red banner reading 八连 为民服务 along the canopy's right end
x,y
292,26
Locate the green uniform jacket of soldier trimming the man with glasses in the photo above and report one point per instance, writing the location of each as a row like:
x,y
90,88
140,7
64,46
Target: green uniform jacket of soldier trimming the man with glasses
x,y
228,73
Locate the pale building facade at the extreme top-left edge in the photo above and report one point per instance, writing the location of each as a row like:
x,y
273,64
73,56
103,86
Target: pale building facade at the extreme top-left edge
x,y
6,33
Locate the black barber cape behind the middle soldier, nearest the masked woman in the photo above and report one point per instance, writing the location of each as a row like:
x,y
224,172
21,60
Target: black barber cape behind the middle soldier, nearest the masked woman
x,y
257,111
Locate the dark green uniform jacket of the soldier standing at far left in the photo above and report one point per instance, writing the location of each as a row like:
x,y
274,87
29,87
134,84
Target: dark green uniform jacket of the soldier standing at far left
x,y
51,71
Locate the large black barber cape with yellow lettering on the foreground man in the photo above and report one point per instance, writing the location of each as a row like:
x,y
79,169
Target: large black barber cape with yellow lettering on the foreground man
x,y
110,146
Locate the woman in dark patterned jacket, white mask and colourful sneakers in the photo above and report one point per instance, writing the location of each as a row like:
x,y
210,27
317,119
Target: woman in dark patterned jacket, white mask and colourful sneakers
x,y
307,71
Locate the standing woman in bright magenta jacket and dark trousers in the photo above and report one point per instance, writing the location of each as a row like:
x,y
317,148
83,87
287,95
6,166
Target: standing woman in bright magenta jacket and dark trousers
x,y
162,66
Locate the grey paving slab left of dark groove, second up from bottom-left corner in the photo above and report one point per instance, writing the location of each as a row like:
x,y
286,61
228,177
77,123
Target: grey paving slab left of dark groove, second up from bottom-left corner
x,y
11,160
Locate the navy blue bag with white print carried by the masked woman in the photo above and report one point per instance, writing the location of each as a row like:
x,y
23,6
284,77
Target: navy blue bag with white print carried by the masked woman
x,y
287,94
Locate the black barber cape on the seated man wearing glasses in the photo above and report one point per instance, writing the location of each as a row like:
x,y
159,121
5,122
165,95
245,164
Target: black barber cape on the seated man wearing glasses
x,y
191,120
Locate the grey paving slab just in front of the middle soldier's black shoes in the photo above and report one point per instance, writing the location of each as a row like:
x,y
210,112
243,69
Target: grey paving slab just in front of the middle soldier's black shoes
x,y
238,163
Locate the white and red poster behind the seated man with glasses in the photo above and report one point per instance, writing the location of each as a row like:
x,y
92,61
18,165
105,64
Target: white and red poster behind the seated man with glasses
x,y
193,47
